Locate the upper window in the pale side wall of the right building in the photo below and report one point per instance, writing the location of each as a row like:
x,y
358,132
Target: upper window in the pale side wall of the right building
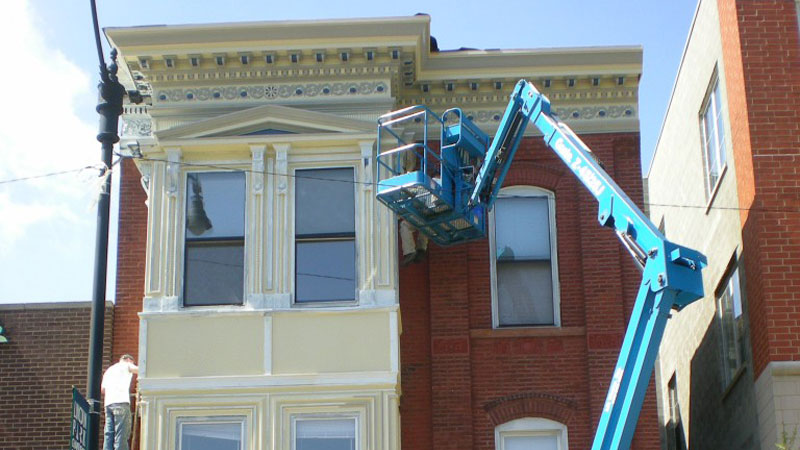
x,y
712,127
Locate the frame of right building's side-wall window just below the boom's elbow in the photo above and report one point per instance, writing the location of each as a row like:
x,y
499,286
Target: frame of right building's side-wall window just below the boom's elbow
x,y
731,287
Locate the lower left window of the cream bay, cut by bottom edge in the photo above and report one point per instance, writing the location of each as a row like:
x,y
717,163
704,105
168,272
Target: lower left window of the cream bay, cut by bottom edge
x,y
214,433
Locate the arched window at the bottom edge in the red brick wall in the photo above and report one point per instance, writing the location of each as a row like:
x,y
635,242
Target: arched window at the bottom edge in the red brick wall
x,y
531,433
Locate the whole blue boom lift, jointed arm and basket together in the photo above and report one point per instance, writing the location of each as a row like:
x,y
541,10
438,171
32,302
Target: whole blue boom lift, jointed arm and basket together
x,y
447,192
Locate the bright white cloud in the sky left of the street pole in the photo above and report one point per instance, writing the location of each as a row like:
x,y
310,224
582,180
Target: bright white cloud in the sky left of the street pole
x,y
40,131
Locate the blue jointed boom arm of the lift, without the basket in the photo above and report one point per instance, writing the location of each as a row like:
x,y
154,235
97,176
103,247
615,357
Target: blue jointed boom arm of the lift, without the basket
x,y
671,273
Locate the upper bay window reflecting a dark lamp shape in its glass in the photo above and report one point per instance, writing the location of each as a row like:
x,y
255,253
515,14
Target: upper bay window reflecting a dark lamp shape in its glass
x,y
214,251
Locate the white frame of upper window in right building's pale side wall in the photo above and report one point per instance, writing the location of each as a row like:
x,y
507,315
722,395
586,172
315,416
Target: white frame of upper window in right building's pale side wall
x,y
714,99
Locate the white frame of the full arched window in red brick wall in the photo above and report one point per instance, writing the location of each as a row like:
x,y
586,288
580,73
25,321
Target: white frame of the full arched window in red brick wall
x,y
527,191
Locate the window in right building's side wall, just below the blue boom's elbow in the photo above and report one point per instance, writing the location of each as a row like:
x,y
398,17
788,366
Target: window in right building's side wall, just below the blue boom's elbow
x,y
731,317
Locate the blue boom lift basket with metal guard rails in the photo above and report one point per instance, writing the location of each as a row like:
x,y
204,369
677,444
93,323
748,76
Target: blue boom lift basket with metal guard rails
x,y
430,187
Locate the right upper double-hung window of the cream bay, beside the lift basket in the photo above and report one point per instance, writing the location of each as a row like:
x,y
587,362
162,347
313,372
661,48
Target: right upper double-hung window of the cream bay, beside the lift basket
x,y
325,237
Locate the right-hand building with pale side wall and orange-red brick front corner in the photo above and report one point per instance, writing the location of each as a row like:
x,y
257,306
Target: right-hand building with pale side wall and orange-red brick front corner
x,y
724,178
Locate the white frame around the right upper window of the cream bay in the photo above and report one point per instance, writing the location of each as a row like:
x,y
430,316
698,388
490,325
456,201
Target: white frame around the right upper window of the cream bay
x,y
293,233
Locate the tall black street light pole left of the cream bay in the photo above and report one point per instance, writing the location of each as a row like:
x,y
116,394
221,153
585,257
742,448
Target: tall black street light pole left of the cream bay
x,y
109,107
